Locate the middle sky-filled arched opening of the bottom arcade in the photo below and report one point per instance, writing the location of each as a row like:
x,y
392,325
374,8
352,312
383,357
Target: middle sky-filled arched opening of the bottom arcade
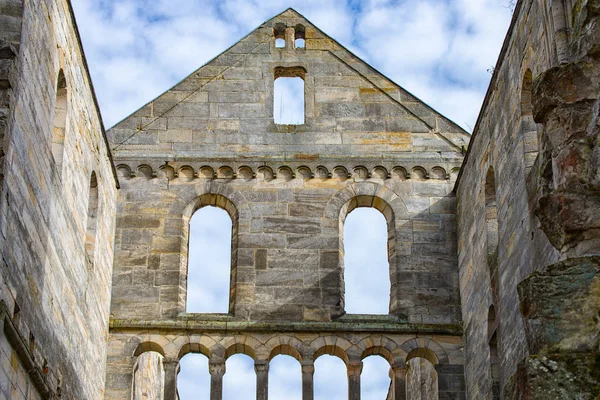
x,y
285,378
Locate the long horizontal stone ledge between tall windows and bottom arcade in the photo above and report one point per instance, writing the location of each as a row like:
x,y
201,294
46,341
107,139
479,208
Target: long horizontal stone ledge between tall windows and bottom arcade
x,y
224,322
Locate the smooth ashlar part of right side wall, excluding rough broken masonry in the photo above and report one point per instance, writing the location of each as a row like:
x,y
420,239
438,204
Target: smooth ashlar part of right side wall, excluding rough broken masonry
x,y
498,142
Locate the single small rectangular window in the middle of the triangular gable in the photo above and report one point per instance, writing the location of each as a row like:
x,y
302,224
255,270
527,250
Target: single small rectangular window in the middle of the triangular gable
x,y
288,96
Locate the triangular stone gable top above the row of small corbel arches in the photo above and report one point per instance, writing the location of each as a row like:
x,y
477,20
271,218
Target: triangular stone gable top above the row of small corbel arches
x,y
350,108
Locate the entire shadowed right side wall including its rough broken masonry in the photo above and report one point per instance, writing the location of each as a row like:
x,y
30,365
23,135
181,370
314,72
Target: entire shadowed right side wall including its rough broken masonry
x,y
546,211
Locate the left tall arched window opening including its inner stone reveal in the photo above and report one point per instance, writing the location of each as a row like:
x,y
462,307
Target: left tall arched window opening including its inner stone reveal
x,y
212,256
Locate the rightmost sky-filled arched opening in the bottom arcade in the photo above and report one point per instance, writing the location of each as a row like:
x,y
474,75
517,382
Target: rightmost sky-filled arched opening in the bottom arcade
x,y
375,382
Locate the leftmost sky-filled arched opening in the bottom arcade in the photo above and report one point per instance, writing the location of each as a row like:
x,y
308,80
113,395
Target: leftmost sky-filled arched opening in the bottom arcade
x,y
193,381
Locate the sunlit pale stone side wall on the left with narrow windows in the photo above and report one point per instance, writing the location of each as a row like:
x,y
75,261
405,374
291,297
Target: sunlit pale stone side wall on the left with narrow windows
x,y
54,300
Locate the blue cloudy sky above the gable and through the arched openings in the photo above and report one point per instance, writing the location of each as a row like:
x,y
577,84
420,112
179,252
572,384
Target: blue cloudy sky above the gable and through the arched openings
x,y
440,50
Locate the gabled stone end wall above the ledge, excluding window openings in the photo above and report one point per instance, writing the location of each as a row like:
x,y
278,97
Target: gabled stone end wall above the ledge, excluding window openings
x,y
212,140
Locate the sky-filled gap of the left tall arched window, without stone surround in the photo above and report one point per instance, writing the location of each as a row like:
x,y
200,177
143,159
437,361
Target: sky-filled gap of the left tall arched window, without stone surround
x,y
209,264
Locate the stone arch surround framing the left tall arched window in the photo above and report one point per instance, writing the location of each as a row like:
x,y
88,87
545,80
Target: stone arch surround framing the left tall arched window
x,y
192,199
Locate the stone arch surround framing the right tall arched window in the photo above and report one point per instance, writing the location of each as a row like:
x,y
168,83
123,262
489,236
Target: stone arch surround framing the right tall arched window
x,y
366,194
